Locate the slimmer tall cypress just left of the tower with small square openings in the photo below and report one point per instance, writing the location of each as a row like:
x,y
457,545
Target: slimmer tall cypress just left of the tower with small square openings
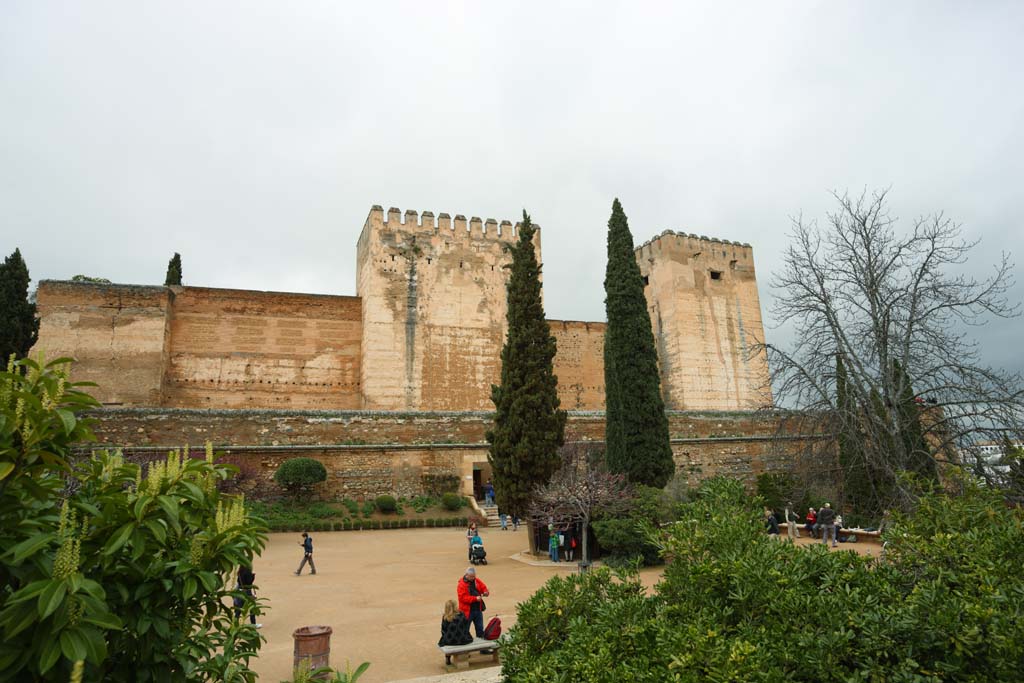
x,y
636,428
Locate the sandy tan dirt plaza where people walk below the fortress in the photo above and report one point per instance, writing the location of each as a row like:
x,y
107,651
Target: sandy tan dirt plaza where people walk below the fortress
x,y
383,593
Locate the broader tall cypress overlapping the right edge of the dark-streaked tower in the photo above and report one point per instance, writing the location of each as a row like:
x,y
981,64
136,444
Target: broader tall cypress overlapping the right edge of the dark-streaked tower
x,y
529,425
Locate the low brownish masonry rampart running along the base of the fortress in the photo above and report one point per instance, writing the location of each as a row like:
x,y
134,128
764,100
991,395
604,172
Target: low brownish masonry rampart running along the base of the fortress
x,y
368,454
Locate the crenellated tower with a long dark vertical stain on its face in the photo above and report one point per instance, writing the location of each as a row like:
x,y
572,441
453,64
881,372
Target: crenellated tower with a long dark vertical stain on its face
x,y
434,309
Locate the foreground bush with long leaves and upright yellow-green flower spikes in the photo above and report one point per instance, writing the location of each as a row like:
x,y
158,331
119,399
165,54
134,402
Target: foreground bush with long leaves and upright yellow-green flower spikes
x,y
130,572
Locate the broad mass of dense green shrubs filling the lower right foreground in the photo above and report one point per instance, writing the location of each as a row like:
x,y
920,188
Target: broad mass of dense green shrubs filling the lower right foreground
x,y
735,606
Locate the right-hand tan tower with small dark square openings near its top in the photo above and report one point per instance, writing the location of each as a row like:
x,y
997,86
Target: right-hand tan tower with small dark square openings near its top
x,y
705,311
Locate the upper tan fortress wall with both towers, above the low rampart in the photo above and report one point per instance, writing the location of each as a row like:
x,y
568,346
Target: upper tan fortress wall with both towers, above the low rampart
x,y
424,332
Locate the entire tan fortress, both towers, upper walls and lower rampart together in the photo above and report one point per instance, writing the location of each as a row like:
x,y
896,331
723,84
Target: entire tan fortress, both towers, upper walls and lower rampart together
x,y
407,361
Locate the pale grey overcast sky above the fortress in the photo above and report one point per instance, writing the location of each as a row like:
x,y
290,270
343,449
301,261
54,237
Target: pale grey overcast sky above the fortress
x,y
254,138
